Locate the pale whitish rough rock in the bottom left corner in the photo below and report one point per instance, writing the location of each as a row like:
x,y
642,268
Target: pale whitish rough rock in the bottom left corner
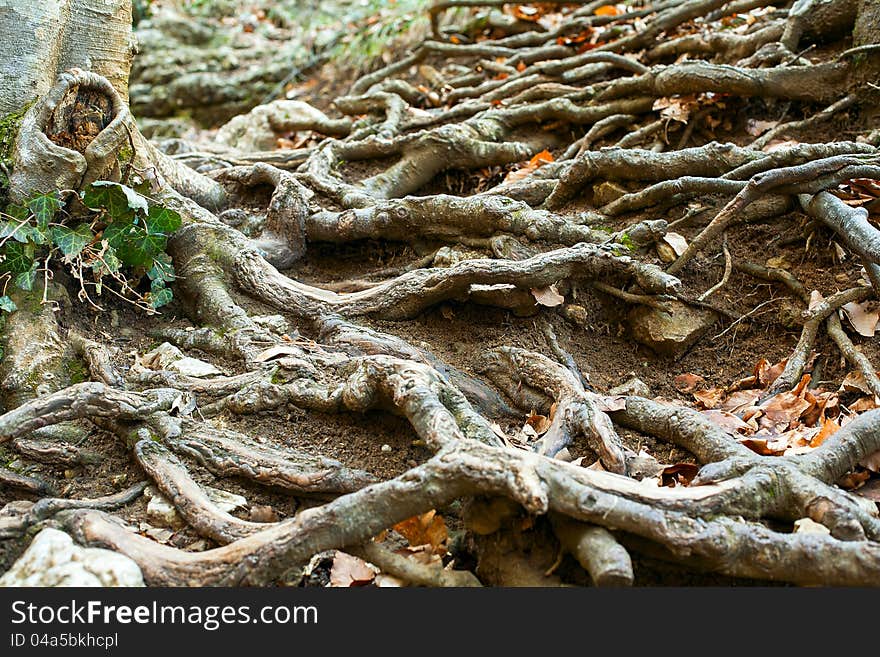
x,y
52,559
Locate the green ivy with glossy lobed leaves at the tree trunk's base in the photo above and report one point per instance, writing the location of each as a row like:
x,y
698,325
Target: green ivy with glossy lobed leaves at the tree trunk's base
x,y
116,241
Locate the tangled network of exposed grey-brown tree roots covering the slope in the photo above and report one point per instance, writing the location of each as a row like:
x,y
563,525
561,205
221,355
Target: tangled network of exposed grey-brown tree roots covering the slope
x,y
542,95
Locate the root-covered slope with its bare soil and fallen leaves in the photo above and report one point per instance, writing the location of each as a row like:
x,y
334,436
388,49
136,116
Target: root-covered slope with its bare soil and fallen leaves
x,y
576,294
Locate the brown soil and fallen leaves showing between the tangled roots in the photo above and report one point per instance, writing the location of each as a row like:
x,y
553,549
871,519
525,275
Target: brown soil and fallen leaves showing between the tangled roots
x,y
756,324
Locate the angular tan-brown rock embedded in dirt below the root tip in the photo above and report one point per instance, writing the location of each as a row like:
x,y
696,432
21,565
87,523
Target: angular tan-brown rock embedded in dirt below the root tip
x,y
671,333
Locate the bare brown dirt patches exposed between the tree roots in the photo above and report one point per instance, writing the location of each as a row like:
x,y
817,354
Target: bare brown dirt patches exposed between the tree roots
x,y
755,324
